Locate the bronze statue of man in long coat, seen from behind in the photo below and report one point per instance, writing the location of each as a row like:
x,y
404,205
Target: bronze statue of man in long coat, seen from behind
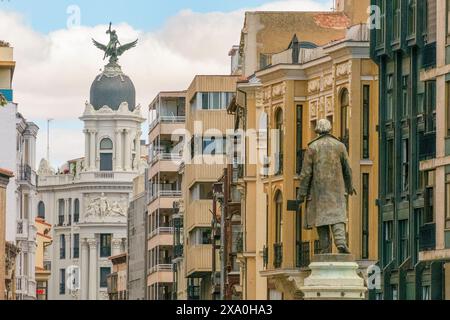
x,y
325,182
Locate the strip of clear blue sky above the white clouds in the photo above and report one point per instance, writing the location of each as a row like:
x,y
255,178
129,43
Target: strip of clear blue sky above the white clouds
x,y
49,15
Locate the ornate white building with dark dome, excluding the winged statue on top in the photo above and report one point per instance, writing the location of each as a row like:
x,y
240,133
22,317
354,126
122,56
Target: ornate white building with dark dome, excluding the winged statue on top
x,y
87,200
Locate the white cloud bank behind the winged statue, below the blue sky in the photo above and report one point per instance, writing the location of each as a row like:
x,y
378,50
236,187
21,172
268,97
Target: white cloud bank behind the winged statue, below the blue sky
x,y
54,71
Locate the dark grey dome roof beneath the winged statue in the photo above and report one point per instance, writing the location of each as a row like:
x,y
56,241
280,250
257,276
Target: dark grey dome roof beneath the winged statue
x,y
111,88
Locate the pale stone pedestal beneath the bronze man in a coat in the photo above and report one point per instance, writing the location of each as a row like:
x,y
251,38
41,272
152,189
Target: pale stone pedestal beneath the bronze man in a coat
x,y
334,277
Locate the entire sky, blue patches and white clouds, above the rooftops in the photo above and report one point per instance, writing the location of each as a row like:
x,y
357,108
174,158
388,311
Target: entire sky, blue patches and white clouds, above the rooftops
x,y
56,62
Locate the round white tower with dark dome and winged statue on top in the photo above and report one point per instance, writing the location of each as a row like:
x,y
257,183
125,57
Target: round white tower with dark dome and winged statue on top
x,y
112,121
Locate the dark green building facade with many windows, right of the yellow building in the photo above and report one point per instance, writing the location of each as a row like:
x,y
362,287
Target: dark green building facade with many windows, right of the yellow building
x,y
403,44
